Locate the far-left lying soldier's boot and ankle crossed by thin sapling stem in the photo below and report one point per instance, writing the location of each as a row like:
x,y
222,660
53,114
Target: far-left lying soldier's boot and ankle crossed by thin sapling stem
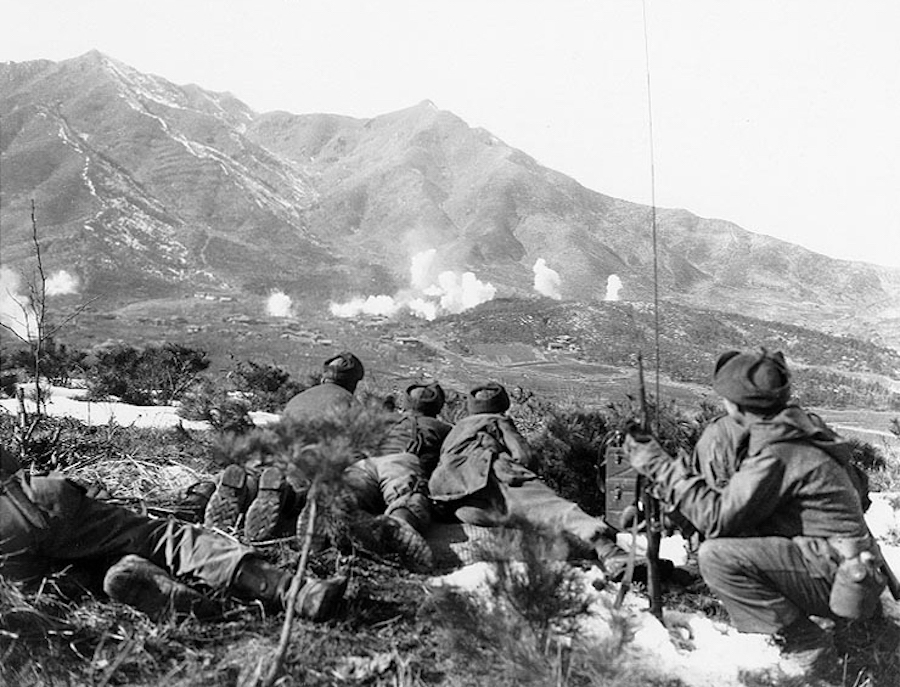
x,y
317,599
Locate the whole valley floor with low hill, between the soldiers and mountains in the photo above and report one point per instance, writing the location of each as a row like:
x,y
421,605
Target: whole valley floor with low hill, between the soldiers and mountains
x,y
561,350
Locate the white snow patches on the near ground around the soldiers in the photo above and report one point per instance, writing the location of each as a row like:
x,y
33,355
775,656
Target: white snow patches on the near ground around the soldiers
x,y
710,654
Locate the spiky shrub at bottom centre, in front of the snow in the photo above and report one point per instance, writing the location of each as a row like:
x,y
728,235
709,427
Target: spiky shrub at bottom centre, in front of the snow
x,y
527,629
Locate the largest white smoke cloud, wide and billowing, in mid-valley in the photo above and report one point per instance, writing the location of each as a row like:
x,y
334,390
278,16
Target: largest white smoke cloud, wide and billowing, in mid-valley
x,y
448,292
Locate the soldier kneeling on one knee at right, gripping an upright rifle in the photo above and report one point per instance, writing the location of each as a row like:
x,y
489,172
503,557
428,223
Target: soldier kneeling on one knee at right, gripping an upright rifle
x,y
785,536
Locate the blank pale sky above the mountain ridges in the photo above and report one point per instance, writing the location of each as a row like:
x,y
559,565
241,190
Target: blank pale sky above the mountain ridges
x,y
779,115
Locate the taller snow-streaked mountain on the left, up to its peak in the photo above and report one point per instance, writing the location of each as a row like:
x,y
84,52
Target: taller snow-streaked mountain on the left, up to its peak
x,y
137,180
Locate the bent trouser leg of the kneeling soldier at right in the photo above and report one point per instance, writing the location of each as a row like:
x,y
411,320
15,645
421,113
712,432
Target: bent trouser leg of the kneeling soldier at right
x,y
764,582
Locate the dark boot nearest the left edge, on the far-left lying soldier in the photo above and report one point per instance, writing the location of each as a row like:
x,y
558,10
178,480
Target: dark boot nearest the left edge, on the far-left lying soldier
x,y
137,582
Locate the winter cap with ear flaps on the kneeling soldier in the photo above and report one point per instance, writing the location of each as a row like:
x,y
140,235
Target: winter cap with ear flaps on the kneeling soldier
x,y
759,381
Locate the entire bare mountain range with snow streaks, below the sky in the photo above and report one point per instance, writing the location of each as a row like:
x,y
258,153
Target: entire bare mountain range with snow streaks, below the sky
x,y
147,189
